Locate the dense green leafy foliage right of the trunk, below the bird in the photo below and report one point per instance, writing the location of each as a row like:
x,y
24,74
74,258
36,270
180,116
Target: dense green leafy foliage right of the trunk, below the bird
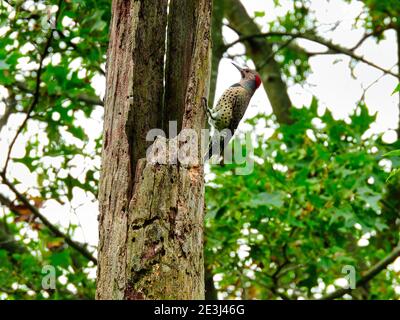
x,y
289,227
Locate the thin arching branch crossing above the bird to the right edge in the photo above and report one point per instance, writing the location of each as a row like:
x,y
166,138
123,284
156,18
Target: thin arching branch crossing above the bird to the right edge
x,y
334,48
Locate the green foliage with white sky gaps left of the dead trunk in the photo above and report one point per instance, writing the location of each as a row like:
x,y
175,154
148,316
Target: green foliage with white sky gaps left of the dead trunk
x,y
75,35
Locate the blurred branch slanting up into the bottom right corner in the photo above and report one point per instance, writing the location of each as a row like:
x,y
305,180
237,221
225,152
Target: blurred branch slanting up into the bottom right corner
x,y
370,274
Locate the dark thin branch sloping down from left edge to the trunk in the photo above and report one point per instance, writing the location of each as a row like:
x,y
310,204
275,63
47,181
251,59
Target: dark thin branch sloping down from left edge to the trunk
x,y
35,212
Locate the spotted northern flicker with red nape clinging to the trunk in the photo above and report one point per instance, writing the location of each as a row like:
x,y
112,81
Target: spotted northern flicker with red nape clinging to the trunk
x,y
231,107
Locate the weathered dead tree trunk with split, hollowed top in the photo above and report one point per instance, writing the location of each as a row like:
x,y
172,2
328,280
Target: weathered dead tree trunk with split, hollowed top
x,y
151,210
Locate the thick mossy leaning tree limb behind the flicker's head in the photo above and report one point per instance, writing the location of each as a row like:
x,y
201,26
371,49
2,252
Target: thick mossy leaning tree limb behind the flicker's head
x,y
259,50
